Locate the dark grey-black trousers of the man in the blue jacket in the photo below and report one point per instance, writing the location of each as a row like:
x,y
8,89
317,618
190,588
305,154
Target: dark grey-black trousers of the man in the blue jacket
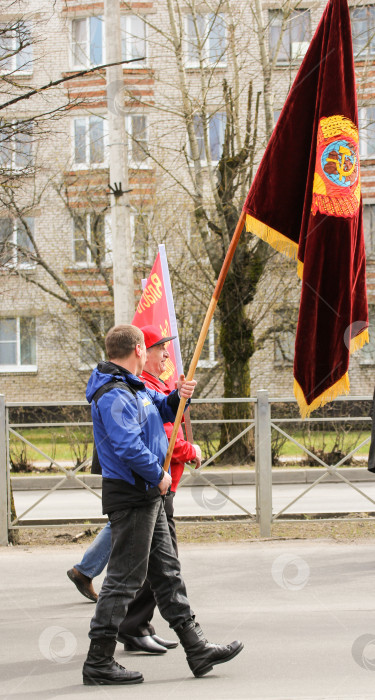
x,y
141,546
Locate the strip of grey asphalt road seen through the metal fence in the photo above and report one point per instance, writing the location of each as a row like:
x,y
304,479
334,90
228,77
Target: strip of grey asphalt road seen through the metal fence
x,y
195,501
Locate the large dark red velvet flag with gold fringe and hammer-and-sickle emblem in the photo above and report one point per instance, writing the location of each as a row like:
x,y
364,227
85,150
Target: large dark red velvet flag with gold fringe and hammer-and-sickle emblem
x,y
305,201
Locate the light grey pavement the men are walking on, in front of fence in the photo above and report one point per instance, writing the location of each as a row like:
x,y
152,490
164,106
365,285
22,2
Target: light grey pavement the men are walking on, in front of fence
x,y
305,611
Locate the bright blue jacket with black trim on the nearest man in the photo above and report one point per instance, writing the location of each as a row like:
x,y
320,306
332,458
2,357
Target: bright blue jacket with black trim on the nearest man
x,y
128,428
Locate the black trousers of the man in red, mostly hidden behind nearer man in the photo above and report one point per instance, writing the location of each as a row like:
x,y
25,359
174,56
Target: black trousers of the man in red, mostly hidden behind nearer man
x,y
137,622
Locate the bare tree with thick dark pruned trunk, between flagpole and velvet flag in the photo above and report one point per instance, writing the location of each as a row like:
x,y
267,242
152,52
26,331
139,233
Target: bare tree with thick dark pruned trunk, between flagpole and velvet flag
x,y
208,85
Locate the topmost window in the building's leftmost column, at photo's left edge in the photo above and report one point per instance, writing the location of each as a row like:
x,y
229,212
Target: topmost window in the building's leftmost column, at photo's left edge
x,y
16,51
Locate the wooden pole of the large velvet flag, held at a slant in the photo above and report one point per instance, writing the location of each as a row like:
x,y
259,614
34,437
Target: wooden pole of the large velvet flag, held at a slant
x,y
204,330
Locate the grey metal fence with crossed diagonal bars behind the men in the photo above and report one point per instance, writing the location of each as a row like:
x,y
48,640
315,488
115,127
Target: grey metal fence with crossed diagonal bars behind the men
x,y
263,423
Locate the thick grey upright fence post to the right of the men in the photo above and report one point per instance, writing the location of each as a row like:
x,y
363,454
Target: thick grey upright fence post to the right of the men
x,y
263,463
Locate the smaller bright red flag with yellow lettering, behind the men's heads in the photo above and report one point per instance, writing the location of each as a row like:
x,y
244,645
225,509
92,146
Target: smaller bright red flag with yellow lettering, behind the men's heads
x,y
153,309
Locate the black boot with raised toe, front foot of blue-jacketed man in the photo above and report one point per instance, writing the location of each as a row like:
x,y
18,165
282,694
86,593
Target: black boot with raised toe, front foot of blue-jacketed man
x,y
201,655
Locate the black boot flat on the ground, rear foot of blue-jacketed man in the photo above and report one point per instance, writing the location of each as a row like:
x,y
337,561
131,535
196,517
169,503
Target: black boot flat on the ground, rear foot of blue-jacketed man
x,y
100,668
